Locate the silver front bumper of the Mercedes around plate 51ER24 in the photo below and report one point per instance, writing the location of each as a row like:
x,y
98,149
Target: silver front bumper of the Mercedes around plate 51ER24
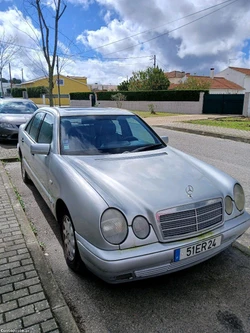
x,y
158,258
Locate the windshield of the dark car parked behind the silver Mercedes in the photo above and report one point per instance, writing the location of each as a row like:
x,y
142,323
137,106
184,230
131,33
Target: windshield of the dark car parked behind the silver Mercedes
x,y
17,107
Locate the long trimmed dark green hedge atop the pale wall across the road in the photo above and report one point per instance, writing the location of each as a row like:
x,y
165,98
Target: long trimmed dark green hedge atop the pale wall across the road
x,y
163,95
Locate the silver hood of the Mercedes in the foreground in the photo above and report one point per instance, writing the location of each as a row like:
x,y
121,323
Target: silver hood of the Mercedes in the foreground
x,y
153,181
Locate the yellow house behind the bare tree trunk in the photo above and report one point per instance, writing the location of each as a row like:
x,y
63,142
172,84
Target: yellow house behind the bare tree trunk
x,y
67,84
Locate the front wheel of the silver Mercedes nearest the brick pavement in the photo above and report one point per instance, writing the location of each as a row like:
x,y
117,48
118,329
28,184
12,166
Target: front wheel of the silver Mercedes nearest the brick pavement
x,y
70,248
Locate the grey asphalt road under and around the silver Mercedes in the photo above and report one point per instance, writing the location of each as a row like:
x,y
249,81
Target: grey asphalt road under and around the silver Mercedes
x,y
211,297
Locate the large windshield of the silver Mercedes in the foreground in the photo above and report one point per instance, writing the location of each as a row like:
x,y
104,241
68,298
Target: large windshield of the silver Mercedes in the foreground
x,y
91,135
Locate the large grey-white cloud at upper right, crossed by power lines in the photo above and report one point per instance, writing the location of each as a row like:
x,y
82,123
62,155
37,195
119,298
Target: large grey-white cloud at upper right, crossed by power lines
x,y
209,40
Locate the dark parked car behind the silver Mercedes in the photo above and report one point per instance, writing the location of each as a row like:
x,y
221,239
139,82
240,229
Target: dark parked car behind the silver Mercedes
x,y
13,113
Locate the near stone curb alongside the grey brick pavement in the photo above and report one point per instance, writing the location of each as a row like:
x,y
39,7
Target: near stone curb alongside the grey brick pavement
x,y
58,306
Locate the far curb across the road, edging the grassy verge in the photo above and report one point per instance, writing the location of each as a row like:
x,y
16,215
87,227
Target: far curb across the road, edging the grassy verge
x,y
205,133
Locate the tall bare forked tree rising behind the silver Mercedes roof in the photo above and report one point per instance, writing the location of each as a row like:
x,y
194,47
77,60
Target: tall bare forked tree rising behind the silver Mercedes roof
x,y
49,42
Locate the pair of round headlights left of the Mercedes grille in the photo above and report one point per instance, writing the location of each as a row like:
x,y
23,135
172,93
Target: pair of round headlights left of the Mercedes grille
x,y
114,226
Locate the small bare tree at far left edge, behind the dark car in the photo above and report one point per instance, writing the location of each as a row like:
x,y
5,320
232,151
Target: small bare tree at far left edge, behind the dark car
x,y
8,49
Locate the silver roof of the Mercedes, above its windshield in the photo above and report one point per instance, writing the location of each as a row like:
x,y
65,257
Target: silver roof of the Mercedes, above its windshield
x,y
63,112
